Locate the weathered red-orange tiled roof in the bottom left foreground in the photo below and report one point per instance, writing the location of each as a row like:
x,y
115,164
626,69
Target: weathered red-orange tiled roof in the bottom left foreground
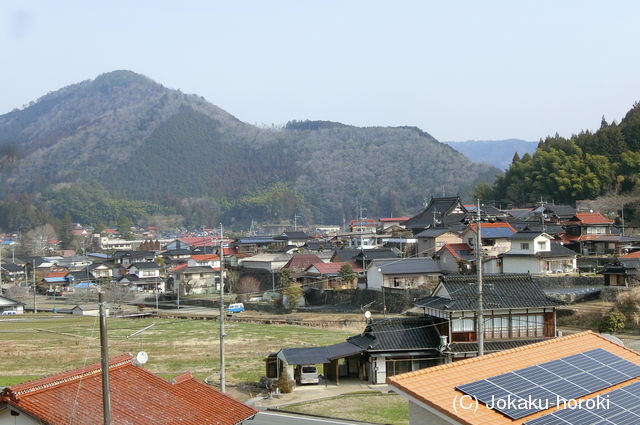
x,y
137,397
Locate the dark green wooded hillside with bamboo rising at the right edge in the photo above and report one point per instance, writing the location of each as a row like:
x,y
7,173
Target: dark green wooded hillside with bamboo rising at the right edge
x,y
583,166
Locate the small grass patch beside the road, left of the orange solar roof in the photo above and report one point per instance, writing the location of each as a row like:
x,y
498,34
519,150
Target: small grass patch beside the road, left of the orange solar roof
x,y
368,407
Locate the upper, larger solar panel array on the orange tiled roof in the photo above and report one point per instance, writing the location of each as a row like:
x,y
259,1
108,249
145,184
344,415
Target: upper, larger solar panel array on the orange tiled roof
x,y
548,383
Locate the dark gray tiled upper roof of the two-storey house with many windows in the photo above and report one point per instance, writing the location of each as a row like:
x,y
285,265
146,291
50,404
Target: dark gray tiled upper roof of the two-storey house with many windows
x,y
499,291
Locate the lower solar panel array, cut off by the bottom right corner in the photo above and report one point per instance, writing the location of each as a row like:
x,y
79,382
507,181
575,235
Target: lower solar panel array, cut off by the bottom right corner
x,y
623,408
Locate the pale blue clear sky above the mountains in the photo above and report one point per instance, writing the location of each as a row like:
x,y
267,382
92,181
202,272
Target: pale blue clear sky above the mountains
x,y
459,70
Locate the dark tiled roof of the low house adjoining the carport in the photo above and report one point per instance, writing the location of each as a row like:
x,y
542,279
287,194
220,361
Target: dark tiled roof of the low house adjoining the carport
x,y
398,334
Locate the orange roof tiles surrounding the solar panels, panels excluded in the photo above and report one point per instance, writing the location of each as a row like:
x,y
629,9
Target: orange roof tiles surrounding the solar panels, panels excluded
x,y
435,386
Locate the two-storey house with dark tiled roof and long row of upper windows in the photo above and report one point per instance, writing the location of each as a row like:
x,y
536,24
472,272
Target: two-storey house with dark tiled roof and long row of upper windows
x,y
516,312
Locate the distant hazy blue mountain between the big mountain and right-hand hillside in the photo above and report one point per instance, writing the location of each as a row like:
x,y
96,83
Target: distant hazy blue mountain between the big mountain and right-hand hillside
x,y
498,153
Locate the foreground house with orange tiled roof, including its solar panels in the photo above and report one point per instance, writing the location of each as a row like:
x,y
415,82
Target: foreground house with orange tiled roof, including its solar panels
x,y
578,379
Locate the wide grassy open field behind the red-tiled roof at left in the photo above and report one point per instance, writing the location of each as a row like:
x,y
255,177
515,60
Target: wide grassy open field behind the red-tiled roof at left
x,y
37,345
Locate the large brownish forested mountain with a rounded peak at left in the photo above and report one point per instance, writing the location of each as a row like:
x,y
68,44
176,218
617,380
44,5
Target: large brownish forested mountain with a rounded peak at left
x,y
122,144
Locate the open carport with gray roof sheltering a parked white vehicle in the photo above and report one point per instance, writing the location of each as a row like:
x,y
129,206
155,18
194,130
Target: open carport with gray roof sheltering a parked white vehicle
x,y
338,360
